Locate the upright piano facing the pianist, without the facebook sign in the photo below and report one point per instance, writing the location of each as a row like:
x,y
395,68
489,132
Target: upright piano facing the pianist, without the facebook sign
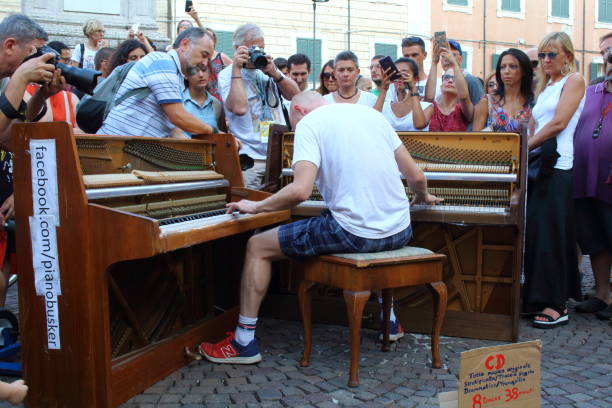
x,y
479,226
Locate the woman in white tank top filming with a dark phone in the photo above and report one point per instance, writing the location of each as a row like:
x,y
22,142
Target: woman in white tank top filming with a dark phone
x,y
406,112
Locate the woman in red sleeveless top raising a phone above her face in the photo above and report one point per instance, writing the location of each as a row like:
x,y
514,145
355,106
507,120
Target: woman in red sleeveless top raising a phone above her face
x,y
454,110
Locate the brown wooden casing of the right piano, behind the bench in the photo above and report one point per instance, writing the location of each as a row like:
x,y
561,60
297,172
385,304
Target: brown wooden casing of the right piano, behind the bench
x,y
483,267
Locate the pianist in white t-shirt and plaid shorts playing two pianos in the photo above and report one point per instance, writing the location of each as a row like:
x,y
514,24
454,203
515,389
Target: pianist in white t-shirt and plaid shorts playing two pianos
x,y
355,157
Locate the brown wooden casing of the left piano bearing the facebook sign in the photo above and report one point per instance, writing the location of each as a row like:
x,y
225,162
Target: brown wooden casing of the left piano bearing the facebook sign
x,y
90,239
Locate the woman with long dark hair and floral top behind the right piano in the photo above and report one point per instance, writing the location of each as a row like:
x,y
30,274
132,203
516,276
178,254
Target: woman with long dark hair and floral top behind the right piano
x,y
508,108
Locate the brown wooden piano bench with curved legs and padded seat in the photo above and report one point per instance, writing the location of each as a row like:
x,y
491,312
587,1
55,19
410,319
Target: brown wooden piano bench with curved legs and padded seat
x,y
361,273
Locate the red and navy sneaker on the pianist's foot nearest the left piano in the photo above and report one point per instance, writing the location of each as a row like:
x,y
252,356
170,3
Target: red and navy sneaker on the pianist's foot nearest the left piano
x,y
228,351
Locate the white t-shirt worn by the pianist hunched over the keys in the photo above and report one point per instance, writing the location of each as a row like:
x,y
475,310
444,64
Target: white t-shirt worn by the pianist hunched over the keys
x,y
353,147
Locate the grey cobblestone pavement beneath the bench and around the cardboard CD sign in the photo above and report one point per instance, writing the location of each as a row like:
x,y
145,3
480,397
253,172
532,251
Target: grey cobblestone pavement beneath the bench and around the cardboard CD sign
x,y
576,370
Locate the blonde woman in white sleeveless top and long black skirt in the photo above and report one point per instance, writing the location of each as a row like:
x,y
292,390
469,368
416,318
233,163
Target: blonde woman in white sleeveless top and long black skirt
x,y
551,264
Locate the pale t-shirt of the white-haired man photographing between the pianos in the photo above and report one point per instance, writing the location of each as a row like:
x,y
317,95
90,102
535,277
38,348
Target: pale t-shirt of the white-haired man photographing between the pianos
x,y
247,127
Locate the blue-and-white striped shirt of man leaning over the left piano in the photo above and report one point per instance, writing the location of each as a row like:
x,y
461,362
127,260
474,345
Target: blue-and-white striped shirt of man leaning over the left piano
x,y
159,72
